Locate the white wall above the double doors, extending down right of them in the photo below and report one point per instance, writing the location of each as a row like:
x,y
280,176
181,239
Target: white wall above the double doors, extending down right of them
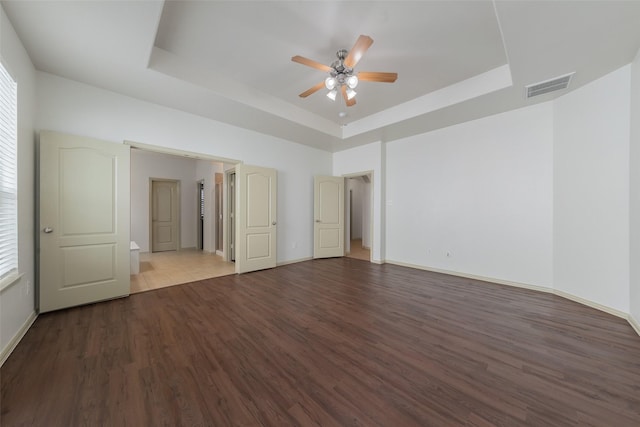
x,y
75,108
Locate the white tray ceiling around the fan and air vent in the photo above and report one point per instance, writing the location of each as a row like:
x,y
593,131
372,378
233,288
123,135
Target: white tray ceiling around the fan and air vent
x,y
231,60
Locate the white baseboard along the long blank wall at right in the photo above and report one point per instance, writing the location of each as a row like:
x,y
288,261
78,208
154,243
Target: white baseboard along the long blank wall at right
x,y
633,322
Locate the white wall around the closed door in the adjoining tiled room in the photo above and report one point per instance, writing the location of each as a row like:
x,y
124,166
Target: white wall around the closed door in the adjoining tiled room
x,y
146,165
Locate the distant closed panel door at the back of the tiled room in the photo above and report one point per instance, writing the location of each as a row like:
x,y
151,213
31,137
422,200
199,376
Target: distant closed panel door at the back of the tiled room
x,y
164,216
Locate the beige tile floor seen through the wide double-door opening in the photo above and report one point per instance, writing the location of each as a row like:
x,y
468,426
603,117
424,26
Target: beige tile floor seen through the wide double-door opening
x,y
161,269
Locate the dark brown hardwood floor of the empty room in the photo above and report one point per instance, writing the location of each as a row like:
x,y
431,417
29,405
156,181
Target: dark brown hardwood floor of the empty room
x,y
336,342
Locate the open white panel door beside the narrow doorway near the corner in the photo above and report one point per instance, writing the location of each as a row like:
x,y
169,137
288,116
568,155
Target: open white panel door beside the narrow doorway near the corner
x,y
328,230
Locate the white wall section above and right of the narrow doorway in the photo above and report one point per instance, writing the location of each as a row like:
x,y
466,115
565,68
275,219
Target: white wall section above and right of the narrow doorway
x,y
363,159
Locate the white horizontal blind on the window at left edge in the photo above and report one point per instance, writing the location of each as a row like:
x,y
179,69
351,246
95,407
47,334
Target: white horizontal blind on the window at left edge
x,y
8,175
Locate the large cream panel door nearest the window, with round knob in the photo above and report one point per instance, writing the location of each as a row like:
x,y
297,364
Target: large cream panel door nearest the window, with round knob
x,y
84,221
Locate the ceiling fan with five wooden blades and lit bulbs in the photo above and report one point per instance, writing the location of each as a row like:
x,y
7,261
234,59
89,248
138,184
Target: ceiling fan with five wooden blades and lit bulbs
x,y
342,75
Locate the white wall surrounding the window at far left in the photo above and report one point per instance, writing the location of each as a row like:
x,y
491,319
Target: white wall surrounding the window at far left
x,y
17,301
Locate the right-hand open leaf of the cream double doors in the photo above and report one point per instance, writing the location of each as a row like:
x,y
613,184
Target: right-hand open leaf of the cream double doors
x,y
256,191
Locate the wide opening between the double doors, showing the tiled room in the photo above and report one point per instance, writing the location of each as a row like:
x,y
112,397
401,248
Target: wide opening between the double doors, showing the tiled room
x,y
200,251
